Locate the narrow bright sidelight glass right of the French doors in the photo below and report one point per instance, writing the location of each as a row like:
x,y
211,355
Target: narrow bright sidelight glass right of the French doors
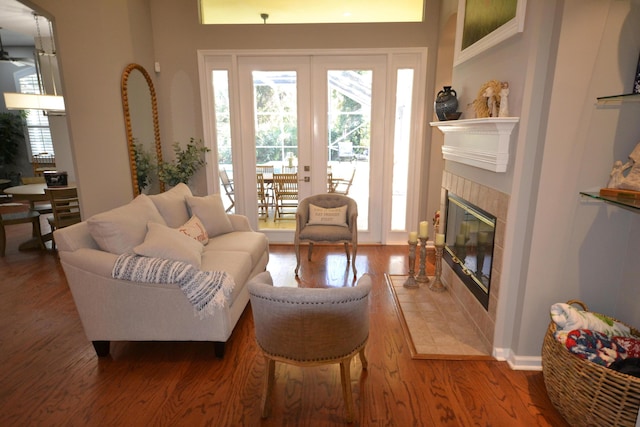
x,y
401,144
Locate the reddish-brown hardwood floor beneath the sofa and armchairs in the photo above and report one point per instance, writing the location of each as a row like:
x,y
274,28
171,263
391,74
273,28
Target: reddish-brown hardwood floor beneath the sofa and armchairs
x,y
50,375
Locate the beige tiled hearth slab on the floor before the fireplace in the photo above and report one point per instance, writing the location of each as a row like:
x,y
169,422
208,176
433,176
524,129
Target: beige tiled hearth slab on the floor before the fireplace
x,y
433,325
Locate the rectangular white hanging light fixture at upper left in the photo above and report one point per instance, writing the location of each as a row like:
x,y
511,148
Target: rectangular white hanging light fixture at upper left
x,y
38,101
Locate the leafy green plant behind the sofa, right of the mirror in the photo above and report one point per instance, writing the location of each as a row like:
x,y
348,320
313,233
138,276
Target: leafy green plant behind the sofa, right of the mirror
x,y
186,164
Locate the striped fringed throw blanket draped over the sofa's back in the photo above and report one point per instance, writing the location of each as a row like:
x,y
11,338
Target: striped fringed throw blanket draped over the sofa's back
x,y
202,288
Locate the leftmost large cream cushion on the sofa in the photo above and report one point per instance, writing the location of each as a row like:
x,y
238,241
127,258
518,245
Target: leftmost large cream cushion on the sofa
x,y
121,229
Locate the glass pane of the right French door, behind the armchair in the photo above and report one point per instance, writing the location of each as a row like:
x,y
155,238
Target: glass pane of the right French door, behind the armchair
x,y
349,133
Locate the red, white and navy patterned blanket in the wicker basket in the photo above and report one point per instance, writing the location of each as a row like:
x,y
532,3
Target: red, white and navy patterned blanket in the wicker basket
x,y
595,347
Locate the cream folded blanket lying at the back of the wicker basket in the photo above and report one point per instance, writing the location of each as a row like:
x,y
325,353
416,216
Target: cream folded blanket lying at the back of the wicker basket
x,y
568,318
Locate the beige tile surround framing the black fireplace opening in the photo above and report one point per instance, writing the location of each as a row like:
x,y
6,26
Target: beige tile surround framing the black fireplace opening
x,y
495,203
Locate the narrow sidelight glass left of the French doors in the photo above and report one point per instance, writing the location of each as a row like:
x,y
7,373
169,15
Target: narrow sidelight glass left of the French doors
x,y
223,138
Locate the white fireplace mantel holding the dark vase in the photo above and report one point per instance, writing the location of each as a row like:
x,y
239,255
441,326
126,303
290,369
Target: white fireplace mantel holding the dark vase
x,y
483,143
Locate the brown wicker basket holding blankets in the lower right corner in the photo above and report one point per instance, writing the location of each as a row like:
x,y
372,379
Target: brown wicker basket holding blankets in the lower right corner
x,y
585,393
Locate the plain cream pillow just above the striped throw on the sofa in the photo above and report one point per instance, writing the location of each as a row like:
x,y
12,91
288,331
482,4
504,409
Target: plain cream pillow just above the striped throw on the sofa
x,y
169,243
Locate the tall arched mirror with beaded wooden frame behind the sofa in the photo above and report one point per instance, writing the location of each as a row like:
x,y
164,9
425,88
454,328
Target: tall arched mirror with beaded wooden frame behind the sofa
x,y
143,131
